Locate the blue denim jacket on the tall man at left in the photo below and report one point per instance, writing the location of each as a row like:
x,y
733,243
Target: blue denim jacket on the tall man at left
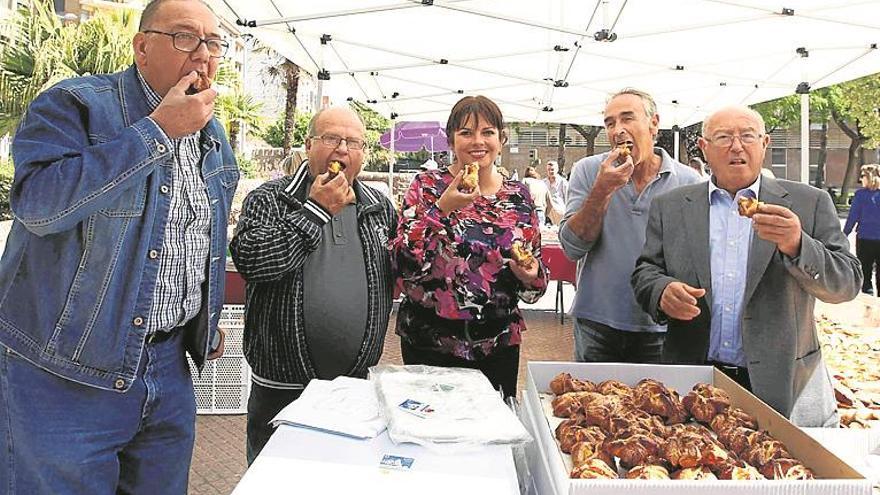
x,y
90,200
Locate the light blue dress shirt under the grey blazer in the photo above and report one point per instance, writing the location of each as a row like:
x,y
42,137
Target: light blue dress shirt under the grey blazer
x,y
730,236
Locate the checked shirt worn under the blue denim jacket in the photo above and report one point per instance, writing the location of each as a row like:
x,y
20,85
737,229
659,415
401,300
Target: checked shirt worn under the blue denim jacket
x,y
177,296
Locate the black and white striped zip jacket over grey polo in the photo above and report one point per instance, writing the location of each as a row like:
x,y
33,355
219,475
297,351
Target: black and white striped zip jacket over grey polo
x,y
279,227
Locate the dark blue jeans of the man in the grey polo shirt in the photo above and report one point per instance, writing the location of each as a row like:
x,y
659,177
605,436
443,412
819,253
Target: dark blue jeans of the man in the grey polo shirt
x,y
598,343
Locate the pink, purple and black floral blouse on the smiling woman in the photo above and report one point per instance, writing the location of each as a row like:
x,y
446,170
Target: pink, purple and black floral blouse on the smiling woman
x,y
460,296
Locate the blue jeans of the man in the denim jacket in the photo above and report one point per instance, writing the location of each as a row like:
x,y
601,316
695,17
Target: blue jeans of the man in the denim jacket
x,y
61,437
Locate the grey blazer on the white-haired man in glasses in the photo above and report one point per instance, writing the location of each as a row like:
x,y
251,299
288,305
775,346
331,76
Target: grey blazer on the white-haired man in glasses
x,y
778,327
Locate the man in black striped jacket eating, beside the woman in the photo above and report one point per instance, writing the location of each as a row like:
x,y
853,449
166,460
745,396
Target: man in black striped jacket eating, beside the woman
x,y
313,249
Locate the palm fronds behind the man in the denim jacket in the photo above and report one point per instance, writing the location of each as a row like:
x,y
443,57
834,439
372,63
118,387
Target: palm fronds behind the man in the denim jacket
x,y
39,51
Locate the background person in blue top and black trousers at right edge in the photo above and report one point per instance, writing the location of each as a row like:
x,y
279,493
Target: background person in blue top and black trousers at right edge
x,y
864,216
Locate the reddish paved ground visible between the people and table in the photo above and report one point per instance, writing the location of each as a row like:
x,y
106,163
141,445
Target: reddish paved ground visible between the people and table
x,y
219,457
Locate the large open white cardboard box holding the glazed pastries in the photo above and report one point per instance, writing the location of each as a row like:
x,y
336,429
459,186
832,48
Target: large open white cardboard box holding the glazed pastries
x,y
837,478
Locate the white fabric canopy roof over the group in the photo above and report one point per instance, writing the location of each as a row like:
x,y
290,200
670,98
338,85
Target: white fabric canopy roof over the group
x,y
552,61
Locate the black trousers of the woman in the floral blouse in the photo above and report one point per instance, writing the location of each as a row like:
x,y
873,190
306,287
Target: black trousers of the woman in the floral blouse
x,y
501,367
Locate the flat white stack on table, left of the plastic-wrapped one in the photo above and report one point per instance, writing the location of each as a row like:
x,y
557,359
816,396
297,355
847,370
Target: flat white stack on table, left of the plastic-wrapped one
x,y
344,406
